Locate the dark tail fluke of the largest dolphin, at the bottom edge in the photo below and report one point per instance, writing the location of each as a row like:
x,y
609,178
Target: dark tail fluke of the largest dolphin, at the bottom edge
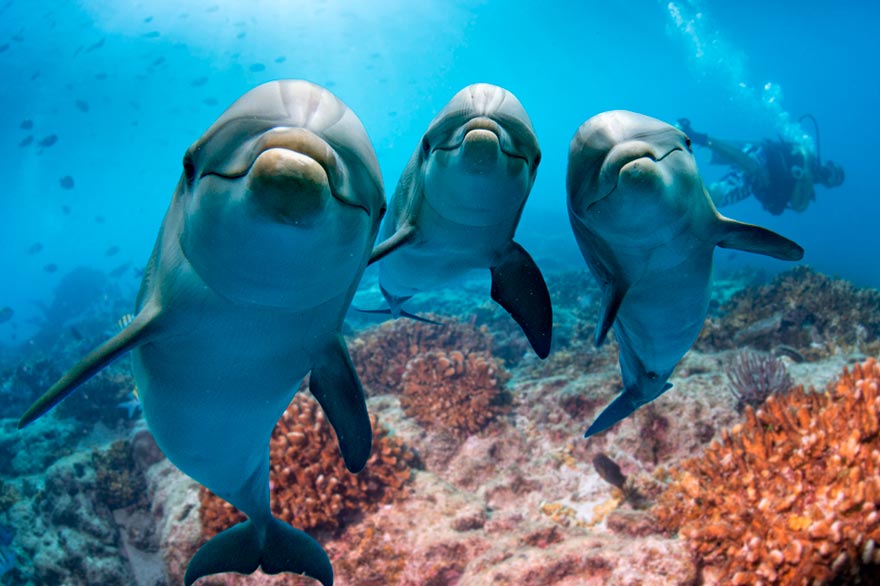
x,y
238,549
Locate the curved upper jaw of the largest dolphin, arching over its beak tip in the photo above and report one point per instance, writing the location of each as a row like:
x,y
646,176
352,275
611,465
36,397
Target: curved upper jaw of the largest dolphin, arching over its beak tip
x,y
296,140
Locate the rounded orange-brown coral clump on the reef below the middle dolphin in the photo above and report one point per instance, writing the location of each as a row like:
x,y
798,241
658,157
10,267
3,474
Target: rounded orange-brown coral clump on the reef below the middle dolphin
x,y
453,390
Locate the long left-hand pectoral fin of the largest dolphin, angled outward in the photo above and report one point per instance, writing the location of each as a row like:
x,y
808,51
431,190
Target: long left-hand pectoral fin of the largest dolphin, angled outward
x,y
134,334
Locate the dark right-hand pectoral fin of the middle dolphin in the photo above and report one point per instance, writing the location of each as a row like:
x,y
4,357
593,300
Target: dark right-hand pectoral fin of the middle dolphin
x,y
518,286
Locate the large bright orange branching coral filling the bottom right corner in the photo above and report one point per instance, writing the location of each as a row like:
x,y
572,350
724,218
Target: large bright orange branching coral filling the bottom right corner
x,y
791,495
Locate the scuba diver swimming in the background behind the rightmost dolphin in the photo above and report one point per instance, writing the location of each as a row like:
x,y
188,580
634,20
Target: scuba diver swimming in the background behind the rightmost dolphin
x,y
780,174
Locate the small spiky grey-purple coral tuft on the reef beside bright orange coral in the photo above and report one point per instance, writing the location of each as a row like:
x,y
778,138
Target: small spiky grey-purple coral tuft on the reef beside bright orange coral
x,y
753,377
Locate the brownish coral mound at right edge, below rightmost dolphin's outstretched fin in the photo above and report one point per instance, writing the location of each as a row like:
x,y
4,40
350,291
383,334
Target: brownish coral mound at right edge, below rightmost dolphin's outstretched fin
x,y
815,314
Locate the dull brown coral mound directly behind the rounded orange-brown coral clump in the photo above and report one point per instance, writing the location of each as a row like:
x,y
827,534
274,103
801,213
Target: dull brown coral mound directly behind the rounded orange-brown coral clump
x,y
380,355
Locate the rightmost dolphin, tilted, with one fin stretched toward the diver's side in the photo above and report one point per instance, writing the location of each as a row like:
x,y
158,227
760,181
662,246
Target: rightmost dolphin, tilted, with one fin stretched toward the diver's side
x,y
647,230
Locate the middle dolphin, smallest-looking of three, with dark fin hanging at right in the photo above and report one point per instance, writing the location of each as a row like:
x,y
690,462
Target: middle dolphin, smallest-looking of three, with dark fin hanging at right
x,y
458,204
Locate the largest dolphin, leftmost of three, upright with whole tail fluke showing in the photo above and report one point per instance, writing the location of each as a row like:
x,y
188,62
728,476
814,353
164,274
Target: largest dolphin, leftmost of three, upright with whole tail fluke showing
x,y
256,263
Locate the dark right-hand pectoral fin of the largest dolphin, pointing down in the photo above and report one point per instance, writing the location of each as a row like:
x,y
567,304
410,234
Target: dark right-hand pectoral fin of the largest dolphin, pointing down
x,y
336,386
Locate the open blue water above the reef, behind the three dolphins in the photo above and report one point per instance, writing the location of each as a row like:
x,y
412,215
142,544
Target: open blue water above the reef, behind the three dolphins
x,y
127,86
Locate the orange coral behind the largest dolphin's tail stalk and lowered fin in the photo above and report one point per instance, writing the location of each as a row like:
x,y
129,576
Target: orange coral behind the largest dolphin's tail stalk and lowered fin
x,y
311,487
